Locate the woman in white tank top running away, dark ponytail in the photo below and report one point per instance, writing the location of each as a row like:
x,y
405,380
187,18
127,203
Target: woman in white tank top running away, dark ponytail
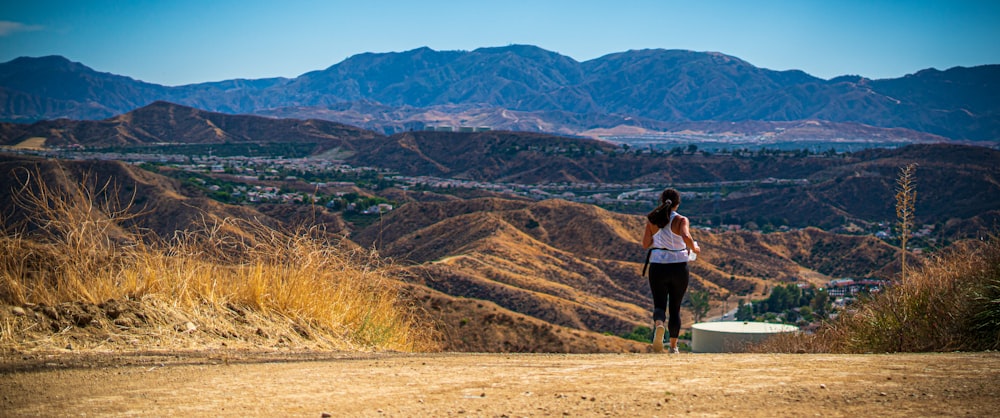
x,y
669,243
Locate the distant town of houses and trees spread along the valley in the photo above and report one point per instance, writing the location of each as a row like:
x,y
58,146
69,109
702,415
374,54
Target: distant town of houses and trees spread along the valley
x,y
239,179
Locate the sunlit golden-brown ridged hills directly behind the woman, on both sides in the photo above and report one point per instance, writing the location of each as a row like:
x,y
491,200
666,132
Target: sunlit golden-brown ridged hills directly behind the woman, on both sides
x,y
579,266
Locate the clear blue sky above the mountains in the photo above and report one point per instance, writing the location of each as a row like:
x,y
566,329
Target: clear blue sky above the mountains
x,y
181,41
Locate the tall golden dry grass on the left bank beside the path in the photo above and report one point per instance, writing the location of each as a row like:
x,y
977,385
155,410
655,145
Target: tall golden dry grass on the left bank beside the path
x,y
234,282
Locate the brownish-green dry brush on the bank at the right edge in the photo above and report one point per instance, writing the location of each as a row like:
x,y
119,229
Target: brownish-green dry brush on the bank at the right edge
x,y
950,303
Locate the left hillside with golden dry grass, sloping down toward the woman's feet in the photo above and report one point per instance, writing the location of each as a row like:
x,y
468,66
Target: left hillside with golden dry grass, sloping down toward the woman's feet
x,y
157,260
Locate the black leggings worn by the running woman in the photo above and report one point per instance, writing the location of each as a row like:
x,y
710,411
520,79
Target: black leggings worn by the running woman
x,y
668,281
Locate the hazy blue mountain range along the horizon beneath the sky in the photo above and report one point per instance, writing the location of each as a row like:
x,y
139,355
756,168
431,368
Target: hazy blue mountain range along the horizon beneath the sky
x,y
522,87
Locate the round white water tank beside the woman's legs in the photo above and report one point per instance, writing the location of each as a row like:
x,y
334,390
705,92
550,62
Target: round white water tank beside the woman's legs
x,y
732,336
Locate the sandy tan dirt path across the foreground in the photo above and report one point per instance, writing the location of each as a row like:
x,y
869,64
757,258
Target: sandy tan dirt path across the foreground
x,y
489,385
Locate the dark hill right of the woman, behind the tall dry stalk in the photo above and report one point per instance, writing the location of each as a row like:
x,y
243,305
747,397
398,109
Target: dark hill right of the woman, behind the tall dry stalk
x,y
956,186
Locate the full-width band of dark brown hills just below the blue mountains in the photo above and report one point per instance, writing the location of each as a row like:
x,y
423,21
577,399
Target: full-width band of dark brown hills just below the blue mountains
x,y
790,188
